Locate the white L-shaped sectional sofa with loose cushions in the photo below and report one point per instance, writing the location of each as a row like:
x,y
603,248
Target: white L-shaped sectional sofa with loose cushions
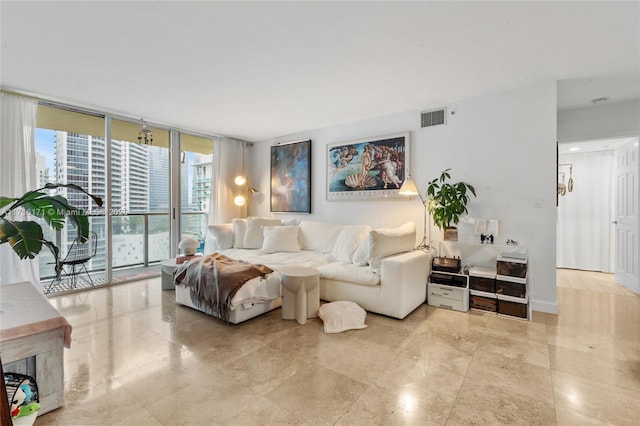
x,y
375,268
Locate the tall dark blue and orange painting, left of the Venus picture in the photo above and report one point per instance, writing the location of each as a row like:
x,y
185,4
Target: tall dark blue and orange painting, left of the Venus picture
x,y
291,177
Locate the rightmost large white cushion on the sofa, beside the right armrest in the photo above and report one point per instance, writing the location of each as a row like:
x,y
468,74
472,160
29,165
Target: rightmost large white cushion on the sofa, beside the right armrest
x,y
386,242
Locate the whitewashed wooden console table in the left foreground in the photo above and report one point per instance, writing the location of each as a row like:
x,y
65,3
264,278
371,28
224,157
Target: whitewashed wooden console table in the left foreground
x,y
31,327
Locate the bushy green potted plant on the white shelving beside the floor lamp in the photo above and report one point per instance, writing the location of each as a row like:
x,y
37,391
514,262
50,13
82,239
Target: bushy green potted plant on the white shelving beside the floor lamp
x,y
447,202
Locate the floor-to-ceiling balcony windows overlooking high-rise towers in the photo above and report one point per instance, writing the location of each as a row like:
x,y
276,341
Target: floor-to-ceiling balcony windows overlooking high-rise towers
x,y
71,148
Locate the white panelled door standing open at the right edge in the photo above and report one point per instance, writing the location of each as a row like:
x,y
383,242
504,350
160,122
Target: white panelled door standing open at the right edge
x,y
627,194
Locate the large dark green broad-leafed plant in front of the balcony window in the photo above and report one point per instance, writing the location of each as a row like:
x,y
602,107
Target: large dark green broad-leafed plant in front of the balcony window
x,y
25,236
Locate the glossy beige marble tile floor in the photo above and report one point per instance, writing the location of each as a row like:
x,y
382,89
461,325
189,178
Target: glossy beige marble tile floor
x,y
137,358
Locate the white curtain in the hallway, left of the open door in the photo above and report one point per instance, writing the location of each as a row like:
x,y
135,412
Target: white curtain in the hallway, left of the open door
x,y
585,233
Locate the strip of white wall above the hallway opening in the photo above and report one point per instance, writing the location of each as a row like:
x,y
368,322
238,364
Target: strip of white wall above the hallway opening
x,y
599,122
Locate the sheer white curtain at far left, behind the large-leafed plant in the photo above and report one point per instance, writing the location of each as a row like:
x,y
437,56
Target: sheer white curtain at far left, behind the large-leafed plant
x,y
17,174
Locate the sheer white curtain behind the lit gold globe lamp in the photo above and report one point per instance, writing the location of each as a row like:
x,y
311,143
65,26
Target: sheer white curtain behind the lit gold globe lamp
x,y
228,162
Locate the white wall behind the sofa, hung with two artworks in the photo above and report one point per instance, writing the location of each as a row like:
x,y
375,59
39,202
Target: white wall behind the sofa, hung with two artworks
x,y
503,144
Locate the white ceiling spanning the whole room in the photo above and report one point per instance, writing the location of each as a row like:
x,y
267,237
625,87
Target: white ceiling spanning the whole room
x,y
264,69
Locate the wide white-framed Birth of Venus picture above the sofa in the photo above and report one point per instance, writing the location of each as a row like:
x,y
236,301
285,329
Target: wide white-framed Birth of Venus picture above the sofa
x,y
367,169
